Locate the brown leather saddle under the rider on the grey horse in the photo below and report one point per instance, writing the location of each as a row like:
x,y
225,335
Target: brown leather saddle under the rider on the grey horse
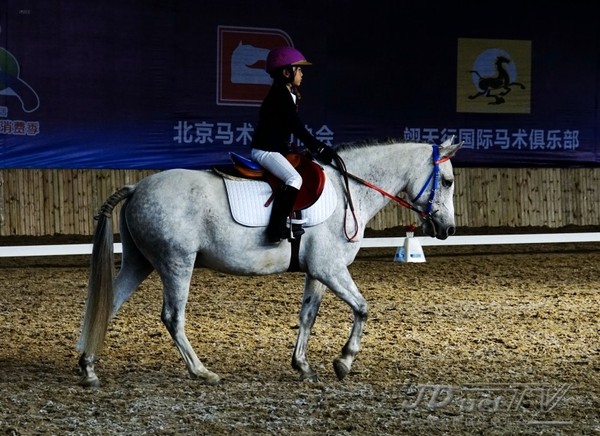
x,y
313,176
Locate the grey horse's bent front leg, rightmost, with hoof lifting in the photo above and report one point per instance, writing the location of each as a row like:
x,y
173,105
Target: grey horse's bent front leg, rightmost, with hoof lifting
x,y
344,287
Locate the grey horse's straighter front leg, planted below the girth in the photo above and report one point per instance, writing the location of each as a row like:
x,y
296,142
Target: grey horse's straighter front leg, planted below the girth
x,y
311,301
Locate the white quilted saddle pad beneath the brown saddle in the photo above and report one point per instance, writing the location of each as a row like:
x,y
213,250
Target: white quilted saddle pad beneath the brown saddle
x,y
247,200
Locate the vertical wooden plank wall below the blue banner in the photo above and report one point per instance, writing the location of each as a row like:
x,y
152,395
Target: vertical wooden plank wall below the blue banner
x,y
47,202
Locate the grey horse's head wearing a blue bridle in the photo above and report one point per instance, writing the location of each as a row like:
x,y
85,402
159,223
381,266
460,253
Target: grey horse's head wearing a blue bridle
x,y
435,199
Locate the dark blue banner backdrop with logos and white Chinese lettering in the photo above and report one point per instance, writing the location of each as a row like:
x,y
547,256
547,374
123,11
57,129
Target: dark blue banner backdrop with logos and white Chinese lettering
x,y
155,85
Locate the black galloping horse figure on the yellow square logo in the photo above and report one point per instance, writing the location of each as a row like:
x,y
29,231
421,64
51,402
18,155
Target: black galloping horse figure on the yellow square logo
x,y
497,85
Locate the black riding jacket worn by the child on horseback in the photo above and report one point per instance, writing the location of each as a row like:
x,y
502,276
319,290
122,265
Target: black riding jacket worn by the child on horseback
x,y
277,120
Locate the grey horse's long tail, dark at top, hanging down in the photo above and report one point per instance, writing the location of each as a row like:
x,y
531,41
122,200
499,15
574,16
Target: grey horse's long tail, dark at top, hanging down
x,y
99,304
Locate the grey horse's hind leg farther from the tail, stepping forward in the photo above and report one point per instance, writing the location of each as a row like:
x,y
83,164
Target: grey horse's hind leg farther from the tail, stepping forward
x,y
176,287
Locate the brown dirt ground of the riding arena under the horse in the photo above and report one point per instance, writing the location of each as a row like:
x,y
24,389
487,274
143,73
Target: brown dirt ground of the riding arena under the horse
x,y
476,340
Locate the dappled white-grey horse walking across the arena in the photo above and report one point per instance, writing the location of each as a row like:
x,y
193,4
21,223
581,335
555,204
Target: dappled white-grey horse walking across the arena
x,y
175,220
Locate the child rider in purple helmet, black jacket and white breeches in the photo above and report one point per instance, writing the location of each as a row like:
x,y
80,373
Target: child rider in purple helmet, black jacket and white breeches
x,y
278,120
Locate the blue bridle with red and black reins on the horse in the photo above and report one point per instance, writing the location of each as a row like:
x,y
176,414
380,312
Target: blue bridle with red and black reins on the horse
x,y
426,215
